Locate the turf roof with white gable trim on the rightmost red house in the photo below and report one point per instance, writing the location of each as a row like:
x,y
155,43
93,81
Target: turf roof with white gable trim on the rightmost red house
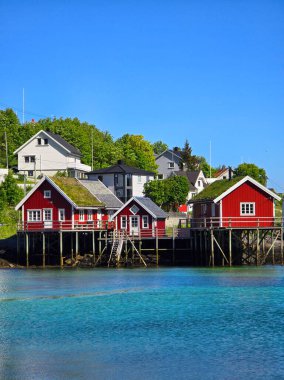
x,y
219,189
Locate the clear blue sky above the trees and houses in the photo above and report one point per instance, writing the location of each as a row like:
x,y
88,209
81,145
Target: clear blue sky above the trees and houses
x,y
204,70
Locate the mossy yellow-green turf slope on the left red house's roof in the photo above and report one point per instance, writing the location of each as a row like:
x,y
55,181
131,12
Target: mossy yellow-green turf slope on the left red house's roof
x,y
77,192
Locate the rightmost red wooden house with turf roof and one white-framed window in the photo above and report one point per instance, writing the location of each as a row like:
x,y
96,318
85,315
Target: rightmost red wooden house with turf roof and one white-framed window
x,y
239,202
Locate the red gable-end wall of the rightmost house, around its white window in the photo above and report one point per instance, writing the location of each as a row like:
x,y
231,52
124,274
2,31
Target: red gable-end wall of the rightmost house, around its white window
x,y
248,192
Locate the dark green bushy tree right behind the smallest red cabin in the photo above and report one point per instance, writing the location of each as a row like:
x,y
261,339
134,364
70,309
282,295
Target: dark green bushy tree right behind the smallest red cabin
x,y
168,193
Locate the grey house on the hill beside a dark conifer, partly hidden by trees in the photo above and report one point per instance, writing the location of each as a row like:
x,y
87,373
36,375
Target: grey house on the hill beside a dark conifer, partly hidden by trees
x,y
168,162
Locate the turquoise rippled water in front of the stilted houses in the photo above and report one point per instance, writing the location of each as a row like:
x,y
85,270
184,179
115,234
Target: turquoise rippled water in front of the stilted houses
x,y
175,323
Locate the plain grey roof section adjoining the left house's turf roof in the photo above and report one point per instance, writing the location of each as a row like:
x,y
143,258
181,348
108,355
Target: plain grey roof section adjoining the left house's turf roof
x,y
101,192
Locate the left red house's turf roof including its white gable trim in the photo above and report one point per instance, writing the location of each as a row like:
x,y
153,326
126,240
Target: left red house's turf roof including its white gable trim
x,y
70,188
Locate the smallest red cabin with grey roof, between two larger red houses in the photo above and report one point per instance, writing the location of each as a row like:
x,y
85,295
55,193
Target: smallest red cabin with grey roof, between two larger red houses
x,y
141,216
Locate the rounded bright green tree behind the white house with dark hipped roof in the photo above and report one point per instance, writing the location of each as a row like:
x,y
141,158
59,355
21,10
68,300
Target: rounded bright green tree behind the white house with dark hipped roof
x,y
137,152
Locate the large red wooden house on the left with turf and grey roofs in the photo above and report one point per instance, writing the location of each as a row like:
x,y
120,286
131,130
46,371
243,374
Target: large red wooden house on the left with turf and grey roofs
x,y
68,204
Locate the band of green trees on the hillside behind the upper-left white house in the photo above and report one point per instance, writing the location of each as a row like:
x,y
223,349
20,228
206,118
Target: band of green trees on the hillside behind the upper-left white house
x,y
133,149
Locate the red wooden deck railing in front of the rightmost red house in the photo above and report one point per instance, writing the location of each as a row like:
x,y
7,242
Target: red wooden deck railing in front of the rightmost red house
x,y
227,222
